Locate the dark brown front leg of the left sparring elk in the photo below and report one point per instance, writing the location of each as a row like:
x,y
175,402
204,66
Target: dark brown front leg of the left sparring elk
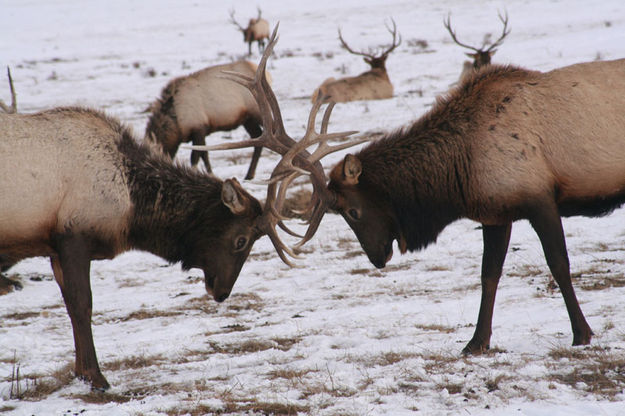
x,y
71,271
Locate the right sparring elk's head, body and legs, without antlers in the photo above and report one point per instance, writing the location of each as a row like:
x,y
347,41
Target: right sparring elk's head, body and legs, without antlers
x,y
506,144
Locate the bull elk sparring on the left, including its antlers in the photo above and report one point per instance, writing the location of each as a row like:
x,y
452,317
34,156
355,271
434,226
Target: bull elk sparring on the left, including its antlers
x,y
126,195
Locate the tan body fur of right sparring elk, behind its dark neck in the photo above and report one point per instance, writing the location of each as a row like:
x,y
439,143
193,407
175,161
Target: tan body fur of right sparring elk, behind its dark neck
x,y
561,131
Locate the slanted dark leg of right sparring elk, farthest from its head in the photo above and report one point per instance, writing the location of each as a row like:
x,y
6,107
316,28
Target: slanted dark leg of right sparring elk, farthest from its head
x,y
548,225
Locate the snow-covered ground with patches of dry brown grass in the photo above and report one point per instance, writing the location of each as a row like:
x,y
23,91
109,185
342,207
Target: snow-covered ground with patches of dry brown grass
x,y
333,336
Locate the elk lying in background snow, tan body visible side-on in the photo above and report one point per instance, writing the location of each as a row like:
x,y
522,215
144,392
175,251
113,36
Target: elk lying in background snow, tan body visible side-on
x,y
370,85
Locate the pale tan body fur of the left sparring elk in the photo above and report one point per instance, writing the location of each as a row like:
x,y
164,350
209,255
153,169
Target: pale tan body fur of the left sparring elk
x,y
44,201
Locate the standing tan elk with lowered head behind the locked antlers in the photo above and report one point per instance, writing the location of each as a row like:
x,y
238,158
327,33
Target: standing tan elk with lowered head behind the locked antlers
x,y
194,106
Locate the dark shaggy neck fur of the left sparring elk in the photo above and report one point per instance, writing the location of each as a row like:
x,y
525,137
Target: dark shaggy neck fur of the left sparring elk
x,y
174,207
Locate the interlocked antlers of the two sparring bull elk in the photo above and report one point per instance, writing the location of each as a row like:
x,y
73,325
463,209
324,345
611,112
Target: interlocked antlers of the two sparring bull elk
x,y
295,161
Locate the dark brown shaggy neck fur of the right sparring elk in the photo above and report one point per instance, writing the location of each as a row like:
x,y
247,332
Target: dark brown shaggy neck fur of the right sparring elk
x,y
423,169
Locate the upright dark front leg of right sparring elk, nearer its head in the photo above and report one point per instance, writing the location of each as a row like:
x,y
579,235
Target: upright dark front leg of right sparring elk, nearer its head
x,y
496,239
